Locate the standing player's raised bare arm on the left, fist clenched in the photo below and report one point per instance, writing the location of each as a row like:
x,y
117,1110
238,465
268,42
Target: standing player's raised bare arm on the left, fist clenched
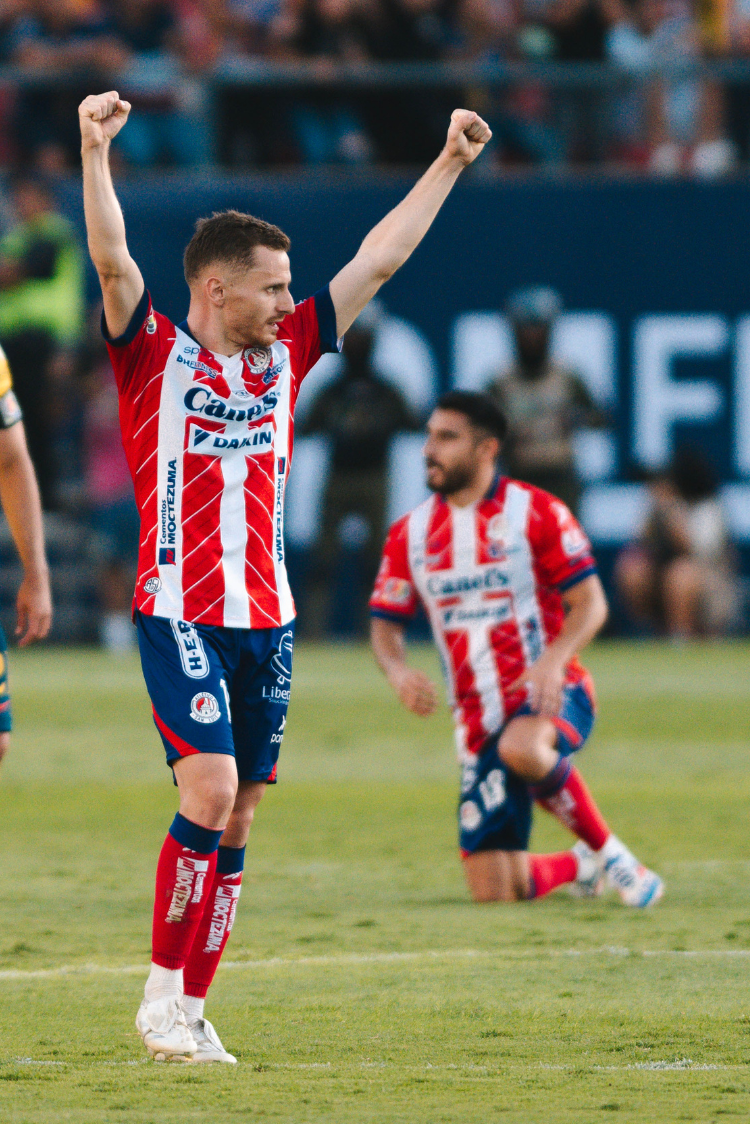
x,y
102,116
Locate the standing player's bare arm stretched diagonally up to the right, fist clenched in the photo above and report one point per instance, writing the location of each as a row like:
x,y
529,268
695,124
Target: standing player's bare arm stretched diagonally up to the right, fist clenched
x,y
388,246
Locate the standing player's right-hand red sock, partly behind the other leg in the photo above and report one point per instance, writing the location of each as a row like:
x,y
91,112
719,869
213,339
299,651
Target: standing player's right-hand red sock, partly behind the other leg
x,y
216,923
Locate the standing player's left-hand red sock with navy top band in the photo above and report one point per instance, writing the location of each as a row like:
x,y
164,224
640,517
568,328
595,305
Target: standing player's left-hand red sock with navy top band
x,y
184,875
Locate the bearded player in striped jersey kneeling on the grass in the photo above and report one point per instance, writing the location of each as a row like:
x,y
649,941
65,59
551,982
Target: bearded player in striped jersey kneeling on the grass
x,y
509,583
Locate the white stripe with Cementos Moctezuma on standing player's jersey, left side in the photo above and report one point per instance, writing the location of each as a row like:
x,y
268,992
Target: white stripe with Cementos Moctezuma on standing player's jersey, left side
x,y
168,602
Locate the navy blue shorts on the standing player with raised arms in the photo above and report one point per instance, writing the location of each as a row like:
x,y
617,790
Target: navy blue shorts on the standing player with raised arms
x,y
219,691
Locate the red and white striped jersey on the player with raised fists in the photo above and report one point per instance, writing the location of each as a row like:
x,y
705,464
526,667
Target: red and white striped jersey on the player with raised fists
x,y
209,441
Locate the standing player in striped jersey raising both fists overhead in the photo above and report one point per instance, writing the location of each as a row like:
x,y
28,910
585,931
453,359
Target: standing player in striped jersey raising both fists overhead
x,y
207,414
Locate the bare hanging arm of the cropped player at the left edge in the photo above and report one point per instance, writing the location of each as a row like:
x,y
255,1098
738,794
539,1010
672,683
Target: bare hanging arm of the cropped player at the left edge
x,y
20,496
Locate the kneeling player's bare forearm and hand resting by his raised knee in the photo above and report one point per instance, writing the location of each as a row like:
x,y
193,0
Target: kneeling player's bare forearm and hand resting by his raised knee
x,y
586,611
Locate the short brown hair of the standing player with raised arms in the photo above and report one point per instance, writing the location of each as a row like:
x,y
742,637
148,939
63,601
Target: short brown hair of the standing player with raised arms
x,y
230,238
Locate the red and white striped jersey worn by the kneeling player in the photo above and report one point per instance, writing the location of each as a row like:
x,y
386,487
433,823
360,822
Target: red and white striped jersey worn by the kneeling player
x,y
491,578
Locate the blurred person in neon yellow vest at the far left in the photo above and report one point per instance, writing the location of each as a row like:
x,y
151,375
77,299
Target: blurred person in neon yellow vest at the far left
x,y
41,313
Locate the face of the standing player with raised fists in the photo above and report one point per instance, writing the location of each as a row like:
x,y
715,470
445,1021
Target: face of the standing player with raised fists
x,y
255,302
